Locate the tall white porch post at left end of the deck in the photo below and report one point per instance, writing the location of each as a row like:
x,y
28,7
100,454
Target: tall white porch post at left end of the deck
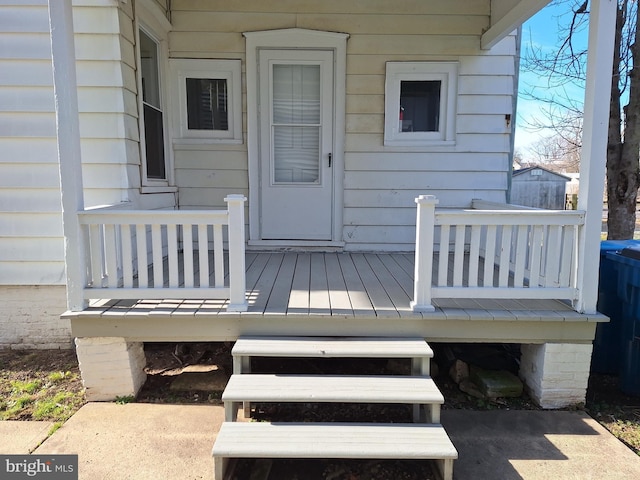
x,y
69,159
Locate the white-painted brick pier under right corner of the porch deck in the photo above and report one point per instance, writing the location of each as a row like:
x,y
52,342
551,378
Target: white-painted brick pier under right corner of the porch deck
x,y
556,374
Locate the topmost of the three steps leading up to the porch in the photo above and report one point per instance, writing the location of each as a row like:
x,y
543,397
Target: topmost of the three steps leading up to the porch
x,y
332,347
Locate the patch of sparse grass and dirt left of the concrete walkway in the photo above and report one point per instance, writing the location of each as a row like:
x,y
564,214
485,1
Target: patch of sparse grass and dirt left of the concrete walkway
x,y
41,385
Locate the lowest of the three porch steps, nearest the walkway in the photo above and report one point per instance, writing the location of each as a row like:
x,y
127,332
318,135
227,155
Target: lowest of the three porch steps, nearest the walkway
x,y
334,440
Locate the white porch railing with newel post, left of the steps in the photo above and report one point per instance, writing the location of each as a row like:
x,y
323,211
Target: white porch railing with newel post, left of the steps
x,y
166,254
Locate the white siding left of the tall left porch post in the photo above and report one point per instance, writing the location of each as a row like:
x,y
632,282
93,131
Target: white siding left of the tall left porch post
x,y
30,220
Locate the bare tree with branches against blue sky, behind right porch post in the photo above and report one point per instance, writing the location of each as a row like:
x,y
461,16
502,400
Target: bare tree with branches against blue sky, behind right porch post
x,y
564,70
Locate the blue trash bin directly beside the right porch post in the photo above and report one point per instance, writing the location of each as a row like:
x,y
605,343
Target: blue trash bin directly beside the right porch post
x,y
608,339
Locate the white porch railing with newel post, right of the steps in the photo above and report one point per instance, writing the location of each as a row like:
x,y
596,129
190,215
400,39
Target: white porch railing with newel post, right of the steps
x,y
497,251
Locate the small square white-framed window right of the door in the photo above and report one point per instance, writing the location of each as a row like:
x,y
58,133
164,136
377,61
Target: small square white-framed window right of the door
x,y
420,103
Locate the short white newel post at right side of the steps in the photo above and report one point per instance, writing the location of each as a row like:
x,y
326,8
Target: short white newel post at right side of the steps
x,y
425,225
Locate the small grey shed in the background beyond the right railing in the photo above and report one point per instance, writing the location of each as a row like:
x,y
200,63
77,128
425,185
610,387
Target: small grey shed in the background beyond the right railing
x,y
539,187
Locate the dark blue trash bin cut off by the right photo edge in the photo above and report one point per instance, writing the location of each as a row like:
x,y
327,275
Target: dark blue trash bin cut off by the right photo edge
x,y
627,264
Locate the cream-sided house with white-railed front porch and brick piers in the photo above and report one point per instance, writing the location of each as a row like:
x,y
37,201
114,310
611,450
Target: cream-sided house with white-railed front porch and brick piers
x,y
343,123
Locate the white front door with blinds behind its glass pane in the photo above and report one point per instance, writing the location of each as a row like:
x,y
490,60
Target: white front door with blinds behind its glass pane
x,y
296,144
